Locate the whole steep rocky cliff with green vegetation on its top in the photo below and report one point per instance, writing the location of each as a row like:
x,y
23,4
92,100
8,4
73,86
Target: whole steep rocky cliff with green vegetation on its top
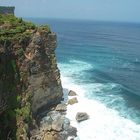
x,y
29,78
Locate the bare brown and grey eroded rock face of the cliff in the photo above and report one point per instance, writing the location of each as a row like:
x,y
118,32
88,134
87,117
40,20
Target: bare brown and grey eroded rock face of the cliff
x,y
44,74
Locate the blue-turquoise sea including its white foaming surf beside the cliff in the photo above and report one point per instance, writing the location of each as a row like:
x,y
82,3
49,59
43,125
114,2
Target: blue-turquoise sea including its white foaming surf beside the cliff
x,y
101,62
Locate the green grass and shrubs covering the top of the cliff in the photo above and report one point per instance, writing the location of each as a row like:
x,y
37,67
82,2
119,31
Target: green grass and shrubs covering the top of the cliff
x,y
15,28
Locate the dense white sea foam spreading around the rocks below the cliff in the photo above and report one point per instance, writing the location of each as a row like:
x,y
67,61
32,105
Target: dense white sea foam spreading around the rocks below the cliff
x,y
104,123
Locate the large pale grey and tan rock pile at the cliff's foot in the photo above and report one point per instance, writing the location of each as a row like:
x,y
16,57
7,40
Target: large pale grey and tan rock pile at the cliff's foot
x,y
54,126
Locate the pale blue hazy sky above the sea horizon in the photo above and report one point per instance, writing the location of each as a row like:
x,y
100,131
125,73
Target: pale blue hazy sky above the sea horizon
x,y
114,10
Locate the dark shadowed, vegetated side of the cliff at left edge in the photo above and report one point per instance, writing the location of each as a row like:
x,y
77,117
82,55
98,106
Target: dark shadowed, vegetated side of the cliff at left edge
x,y
8,95
